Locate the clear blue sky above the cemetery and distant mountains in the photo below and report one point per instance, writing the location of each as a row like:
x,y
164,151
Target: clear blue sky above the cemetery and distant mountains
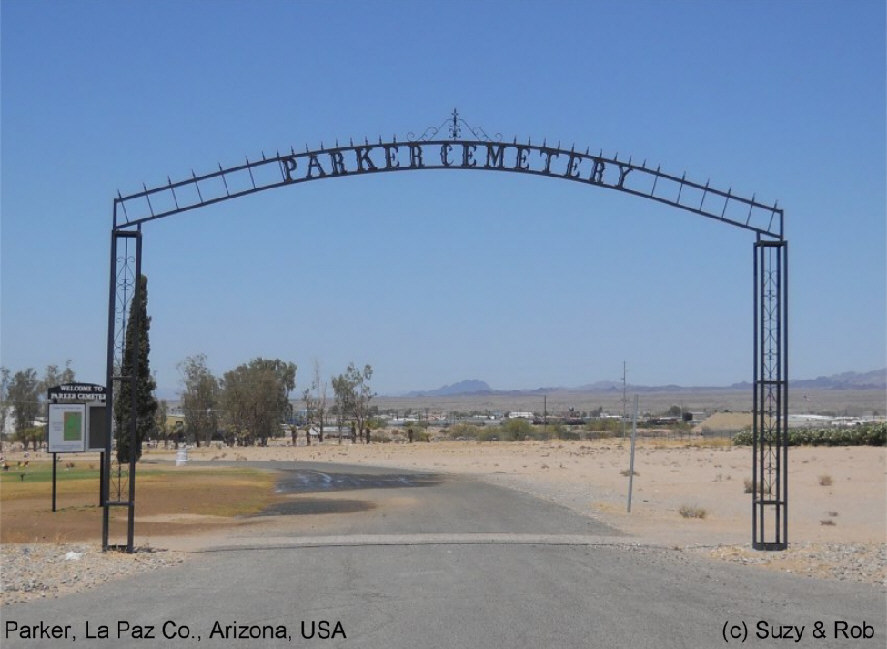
x,y
439,276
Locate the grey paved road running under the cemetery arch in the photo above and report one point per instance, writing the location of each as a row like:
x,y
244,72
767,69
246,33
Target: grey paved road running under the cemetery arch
x,y
430,561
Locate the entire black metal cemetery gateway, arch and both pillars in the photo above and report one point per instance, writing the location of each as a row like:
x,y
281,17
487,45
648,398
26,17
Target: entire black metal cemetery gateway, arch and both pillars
x,y
479,151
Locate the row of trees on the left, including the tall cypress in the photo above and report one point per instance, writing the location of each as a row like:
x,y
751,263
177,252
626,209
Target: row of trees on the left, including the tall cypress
x,y
246,405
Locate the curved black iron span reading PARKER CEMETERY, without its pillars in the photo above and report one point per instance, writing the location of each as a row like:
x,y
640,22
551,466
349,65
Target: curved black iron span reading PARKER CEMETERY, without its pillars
x,y
432,152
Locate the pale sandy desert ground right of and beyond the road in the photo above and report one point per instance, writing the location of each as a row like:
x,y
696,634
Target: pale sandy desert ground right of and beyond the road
x,y
837,496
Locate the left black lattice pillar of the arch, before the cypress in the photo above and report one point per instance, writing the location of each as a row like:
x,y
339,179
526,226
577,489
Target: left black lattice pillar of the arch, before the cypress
x,y
118,484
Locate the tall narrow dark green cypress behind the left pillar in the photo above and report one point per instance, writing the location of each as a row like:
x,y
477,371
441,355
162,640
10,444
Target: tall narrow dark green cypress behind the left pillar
x,y
145,403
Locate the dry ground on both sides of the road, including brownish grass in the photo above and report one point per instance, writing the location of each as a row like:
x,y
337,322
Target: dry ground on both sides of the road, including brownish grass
x,y
837,496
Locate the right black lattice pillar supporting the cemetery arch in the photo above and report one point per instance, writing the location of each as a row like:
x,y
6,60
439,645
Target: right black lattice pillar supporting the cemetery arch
x,y
770,428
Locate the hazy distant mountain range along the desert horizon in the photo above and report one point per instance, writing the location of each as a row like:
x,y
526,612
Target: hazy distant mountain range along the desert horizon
x,y
874,380
